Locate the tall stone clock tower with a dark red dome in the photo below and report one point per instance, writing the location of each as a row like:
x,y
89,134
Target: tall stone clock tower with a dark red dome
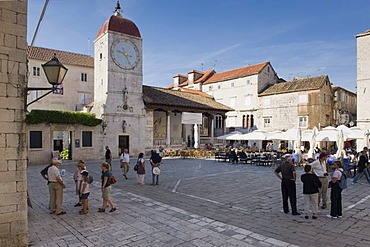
x,y
118,85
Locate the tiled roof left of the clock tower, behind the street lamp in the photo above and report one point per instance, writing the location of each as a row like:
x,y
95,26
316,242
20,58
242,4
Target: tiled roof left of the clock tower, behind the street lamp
x,y
45,54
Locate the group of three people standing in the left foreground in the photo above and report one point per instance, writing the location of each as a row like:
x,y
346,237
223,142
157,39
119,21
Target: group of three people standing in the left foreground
x,y
82,179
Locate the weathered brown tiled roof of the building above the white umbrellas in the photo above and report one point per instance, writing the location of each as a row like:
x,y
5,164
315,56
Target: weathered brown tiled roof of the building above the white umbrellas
x,y
303,84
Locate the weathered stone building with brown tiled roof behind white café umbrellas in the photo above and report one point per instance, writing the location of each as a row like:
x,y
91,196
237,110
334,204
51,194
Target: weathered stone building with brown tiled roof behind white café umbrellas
x,y
301,103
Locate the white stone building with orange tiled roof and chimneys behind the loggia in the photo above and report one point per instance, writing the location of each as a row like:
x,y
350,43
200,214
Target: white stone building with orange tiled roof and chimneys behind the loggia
x,y
237,88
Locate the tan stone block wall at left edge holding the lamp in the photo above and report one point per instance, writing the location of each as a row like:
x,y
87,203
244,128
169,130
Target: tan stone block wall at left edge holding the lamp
x,y
13,174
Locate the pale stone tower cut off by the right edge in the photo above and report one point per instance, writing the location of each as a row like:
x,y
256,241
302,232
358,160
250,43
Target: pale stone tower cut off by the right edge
x,y
363,83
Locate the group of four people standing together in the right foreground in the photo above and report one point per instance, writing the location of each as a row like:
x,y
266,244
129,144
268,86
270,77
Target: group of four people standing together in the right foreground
x,y
315,186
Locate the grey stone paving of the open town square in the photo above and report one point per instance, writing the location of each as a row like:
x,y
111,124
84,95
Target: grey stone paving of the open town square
x,y
198,203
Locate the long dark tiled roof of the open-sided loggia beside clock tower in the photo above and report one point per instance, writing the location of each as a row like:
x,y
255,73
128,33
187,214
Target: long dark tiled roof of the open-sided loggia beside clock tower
x,y
158,97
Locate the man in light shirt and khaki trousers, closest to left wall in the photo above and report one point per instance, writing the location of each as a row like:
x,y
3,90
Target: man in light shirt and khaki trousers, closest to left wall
x,y
56,188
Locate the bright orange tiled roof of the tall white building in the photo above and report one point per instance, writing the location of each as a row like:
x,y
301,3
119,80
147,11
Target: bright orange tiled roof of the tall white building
x,y
236,73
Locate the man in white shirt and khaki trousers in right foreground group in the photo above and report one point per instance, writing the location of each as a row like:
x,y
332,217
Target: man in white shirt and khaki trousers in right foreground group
x,y
319,167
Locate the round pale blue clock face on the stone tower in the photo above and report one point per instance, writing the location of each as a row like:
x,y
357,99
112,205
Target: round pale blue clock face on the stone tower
x,y
125,54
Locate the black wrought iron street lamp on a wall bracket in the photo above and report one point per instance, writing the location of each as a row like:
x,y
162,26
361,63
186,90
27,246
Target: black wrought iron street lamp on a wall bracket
x,y
55,72
